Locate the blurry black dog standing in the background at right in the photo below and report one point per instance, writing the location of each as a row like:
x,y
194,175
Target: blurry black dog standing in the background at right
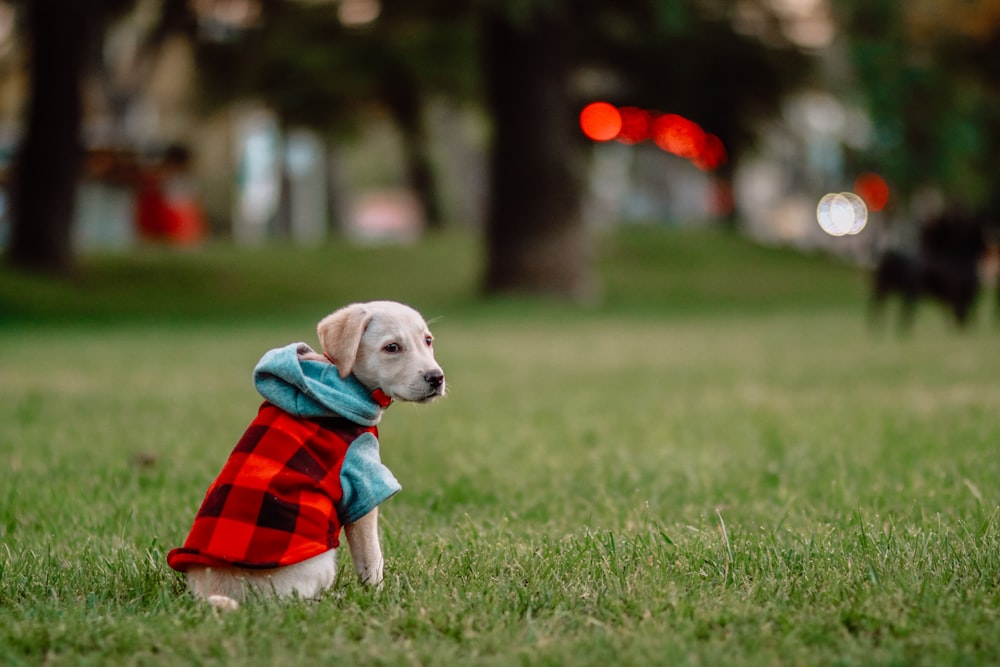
x,y
945,268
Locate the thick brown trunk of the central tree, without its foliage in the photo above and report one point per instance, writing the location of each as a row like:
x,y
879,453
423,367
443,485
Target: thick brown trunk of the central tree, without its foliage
x,y
536,238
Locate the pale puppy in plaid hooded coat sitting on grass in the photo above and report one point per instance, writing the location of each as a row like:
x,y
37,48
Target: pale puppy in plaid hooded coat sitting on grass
x,y
309,463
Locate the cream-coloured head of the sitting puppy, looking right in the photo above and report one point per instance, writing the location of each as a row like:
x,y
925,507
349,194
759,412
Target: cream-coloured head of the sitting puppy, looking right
x,y
387,346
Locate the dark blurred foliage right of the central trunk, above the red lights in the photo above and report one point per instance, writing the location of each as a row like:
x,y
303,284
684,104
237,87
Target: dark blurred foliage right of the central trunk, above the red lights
x,y
676,59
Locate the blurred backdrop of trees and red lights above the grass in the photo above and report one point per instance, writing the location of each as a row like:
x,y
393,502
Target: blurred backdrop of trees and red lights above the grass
x,y
184,122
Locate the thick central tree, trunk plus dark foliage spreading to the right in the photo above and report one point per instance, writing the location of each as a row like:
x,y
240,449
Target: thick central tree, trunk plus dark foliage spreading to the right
x,y
661,53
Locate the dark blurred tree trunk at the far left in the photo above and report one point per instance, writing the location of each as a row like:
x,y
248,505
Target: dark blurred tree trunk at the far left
x,y
48,162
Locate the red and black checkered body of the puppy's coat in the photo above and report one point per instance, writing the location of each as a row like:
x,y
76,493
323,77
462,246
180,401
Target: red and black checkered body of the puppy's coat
x,y
274,502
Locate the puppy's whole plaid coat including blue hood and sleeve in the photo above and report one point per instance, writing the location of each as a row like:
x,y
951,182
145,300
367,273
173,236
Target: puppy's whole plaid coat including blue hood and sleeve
x,y
292,481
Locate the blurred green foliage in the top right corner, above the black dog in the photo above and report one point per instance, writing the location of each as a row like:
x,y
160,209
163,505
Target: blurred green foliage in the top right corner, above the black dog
x,y
932,88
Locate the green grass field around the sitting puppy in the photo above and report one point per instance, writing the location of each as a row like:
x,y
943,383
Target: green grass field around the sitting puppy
x,y
718,464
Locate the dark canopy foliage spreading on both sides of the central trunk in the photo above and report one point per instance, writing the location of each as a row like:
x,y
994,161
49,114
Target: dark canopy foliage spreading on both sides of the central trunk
x,y
668,55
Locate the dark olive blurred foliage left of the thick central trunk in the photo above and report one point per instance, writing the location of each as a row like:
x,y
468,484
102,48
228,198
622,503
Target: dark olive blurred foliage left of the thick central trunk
x,y
316,72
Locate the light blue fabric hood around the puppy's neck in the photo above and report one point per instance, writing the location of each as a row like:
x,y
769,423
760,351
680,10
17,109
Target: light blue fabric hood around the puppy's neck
x,y
311,389
